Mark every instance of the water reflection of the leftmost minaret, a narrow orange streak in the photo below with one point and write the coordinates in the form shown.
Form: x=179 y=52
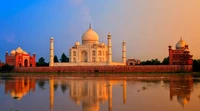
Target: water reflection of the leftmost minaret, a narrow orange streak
x=51 y=90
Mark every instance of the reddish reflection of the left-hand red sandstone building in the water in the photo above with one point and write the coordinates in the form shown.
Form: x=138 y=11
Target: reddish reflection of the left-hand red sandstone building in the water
x=19 y=87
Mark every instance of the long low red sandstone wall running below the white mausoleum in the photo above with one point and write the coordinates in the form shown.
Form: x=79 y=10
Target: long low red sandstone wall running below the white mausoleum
x=149 y=68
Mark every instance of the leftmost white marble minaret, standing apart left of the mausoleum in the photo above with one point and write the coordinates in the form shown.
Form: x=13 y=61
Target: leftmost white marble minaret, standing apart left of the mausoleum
x=51 y=61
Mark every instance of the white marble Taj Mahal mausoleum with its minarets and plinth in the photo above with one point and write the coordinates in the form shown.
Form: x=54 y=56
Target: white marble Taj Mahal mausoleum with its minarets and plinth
x=90 y=52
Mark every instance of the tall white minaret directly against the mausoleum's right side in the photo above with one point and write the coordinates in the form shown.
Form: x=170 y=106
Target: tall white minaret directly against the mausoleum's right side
x=109 y=48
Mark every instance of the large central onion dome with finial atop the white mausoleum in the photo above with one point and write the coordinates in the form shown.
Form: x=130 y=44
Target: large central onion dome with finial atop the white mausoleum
x=90 y=37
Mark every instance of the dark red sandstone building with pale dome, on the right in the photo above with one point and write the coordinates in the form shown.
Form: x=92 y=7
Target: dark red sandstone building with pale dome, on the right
x=181 y=55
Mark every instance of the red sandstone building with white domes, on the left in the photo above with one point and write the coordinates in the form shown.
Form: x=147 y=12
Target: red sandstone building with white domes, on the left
x=20 y=58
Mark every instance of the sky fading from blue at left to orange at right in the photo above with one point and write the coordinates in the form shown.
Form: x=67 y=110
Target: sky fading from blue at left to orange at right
x=147 y=26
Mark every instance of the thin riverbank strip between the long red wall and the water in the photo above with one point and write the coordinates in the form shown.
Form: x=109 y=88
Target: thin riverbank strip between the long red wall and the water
x=126 y=76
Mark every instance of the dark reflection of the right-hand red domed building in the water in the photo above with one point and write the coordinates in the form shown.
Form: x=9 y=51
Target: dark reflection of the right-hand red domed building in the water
x=181 y=86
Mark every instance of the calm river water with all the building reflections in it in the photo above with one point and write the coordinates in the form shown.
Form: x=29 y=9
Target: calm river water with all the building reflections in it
x=177 y=93
